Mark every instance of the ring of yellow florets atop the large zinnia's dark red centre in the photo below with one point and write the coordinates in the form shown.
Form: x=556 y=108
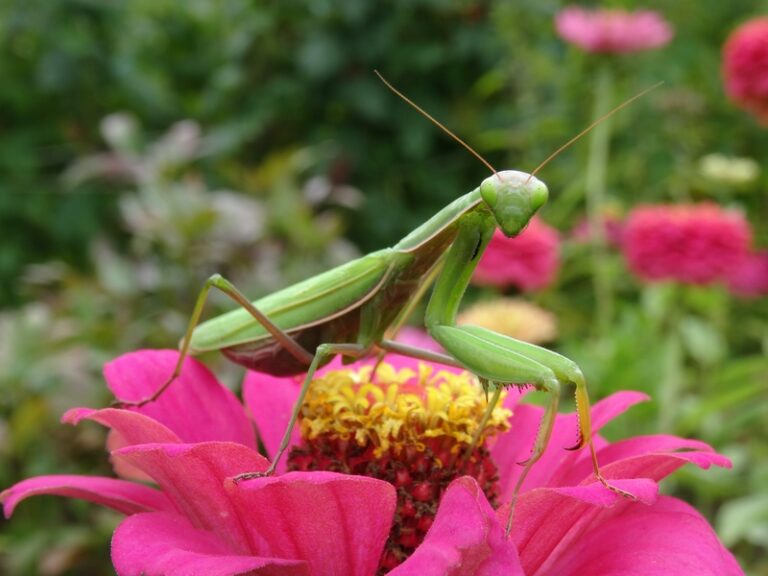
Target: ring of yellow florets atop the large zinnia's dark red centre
x=402 y=409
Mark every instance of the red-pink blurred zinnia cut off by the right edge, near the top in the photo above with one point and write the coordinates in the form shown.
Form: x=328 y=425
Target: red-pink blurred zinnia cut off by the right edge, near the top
x=745 y=67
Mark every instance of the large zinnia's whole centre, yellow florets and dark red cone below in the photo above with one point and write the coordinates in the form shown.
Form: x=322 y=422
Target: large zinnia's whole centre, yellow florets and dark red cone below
x=414 y=430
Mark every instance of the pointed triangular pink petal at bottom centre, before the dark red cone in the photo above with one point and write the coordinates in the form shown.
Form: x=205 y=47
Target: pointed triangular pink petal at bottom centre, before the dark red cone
x=465 y=539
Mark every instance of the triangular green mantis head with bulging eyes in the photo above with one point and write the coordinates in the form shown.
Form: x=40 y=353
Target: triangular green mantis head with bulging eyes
x=513 y=197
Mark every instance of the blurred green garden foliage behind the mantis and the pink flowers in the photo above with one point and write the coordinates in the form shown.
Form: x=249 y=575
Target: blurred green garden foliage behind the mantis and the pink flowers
x=147 y=144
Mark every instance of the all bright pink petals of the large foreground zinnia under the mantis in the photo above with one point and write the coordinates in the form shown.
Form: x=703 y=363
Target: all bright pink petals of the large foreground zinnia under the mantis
x=195 y=520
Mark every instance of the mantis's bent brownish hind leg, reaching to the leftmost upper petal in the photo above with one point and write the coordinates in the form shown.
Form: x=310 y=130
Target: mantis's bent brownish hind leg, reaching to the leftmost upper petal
x=223 y=285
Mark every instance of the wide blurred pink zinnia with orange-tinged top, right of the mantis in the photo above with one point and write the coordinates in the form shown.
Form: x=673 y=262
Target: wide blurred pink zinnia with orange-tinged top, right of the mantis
x=696 y=244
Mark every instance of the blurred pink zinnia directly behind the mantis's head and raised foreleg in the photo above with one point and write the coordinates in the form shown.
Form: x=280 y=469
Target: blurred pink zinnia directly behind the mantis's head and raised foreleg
x=528 y=261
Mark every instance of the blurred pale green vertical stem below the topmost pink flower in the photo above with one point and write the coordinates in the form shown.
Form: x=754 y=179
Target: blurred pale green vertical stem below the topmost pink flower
x=595 y=197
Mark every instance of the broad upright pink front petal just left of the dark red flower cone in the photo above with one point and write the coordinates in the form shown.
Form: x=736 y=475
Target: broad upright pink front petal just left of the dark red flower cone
x=337 y=523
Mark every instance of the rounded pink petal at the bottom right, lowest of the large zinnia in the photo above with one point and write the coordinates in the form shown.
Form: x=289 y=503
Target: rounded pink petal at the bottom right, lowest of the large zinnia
x=667 y=539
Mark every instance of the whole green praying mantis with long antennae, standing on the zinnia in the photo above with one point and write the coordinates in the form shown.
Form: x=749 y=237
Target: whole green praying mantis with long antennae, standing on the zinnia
x=350 y=310
